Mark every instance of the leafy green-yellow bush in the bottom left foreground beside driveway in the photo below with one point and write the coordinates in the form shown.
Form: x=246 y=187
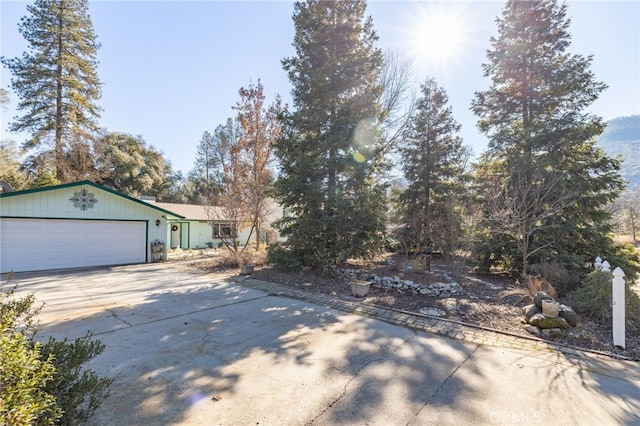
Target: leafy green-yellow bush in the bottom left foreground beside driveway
x=43 y=384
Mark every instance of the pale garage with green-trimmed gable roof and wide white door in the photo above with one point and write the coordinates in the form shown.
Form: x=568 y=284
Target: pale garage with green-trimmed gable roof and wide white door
x=77 y=225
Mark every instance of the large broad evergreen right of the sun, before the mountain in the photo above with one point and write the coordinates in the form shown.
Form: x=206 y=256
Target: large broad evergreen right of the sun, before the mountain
x=541 y=134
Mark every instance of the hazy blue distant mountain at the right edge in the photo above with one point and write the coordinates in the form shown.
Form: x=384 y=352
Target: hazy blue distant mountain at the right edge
x=622 y=137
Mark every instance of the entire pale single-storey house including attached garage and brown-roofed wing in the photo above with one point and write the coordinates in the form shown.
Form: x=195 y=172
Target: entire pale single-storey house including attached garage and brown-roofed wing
x=84 y=224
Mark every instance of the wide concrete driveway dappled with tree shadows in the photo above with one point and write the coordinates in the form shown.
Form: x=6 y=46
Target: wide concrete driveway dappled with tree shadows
x=195 y=349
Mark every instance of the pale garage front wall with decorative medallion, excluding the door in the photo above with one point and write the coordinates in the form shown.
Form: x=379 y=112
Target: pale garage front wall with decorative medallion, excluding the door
x=57 y=204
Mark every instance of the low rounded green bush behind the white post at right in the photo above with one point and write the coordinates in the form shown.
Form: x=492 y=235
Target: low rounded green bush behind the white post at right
x=593 y=298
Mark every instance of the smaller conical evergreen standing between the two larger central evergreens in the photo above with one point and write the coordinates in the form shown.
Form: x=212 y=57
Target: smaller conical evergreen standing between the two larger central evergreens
x=433 y=161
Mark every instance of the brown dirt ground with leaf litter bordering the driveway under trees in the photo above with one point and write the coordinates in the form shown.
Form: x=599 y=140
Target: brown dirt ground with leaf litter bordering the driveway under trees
x=489 y=300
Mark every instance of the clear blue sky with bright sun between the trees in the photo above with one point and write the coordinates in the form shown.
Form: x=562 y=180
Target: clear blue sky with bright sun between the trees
x=172 y=69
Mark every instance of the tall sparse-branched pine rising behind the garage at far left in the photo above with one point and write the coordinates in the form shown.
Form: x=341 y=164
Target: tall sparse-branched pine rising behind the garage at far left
x=56 y=81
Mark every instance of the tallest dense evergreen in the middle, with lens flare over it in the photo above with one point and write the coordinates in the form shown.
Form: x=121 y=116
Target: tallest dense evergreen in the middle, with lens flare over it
x=330 y=149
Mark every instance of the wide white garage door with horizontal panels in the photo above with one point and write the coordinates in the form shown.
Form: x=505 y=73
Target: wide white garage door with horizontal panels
x=38 y=244
